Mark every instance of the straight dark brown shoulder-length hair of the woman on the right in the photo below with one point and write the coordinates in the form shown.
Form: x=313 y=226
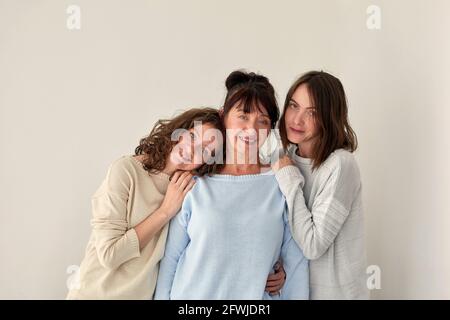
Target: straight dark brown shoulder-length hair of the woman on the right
x=334 y=130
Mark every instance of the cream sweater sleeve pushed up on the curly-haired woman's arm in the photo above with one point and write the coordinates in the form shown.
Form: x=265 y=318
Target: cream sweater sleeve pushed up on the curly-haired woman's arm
x=115 y=243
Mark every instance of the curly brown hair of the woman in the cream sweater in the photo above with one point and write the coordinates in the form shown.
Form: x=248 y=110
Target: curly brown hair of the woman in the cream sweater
x=158 y=144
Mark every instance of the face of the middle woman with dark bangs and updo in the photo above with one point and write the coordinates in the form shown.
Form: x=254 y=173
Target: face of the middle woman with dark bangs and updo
x=247 y=130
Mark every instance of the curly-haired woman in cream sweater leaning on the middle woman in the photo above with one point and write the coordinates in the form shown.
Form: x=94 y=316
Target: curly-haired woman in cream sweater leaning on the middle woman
x=139 y=196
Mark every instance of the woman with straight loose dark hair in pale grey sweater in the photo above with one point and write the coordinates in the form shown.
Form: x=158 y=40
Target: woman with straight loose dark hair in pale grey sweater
x=321 y=182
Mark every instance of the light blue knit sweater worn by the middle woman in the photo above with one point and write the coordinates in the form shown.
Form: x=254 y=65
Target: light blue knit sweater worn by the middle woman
x=224 y=242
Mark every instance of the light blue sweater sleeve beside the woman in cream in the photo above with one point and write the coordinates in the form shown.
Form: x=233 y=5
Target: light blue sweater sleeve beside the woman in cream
x=177 y=242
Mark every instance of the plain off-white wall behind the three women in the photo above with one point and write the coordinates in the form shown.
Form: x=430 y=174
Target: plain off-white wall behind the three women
x=71 y=102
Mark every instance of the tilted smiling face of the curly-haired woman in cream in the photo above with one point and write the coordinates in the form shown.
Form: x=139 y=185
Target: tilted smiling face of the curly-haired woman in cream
x=195 y=147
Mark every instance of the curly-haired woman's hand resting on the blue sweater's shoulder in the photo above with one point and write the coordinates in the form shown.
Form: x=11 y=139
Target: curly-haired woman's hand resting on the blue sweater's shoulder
x=179 y=185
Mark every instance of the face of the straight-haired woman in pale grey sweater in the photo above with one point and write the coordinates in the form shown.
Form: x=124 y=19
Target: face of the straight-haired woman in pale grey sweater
x=300 y=118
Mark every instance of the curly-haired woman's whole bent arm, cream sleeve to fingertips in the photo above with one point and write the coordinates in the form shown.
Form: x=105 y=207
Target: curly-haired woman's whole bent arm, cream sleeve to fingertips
x=115 y=242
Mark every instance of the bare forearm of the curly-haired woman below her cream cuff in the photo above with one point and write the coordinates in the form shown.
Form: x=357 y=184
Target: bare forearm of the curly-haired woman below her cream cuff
x=150 y=226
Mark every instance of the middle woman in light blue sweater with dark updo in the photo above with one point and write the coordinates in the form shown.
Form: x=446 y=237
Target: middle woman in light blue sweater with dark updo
x=232 y=227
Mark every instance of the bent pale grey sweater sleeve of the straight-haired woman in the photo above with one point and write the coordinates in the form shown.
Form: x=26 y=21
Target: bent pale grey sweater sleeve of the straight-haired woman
x=315 y=230
